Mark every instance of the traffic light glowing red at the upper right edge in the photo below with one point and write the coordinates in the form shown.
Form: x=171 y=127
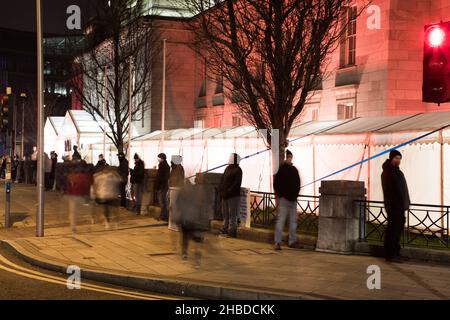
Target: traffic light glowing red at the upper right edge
x=436 y=63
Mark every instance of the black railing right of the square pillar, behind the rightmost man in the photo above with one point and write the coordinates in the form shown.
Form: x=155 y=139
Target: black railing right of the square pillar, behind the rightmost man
x=426 y=225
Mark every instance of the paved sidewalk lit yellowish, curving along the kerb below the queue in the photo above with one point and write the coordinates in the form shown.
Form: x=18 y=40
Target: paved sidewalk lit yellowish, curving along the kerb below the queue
x=142 y=253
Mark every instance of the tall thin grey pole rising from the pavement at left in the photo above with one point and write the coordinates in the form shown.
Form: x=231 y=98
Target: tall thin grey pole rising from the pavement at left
x=40 y=123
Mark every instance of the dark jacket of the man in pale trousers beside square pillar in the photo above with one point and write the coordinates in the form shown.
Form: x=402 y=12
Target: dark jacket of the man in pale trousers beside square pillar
x=286 y=182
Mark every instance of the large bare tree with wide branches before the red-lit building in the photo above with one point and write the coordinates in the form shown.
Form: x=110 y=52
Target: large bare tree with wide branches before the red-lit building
x=271 y=54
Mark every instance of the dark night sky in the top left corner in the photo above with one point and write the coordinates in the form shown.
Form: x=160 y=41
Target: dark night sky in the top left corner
x=21 y=14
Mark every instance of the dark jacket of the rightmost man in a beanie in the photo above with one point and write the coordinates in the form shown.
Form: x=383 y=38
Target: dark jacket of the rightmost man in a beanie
x=395 y=188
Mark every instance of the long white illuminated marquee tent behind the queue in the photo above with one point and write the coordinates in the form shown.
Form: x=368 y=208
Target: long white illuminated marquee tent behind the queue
x=320 y=148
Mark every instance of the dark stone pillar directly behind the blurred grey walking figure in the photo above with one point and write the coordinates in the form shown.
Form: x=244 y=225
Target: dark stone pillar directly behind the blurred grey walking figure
x=211 y=181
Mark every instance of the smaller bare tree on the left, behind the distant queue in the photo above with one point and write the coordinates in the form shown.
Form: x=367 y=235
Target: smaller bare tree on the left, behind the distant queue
x=117 y=61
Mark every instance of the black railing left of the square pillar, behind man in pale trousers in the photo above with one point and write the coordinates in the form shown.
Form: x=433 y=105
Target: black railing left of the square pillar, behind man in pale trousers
x=264 y=213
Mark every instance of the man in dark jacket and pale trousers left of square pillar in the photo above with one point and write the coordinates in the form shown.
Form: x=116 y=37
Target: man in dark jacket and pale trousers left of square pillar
x=287 y=187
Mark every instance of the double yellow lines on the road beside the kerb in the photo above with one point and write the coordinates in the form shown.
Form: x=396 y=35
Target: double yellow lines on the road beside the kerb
x=56 y=280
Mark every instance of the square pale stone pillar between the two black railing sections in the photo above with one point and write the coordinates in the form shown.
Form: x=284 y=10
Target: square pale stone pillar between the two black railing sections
x=339 y=215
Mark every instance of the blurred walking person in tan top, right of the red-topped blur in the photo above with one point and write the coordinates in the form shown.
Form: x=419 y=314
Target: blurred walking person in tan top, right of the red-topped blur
x=106 y=188
